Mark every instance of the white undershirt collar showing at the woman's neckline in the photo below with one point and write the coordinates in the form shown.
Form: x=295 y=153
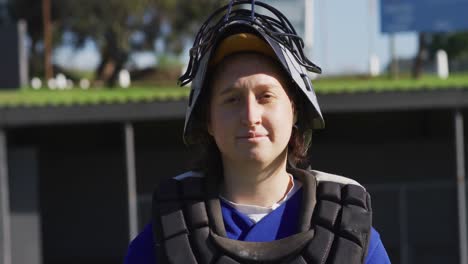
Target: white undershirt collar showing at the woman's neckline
x=255 y=212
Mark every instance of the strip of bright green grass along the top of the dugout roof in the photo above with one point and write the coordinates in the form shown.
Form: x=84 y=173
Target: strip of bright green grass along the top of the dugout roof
x=28 y=97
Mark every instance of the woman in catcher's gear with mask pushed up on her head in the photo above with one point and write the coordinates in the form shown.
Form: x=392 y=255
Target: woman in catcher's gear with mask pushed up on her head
x=252 y=109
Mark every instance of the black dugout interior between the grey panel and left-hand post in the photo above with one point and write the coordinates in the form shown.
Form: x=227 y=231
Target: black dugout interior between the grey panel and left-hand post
x=82 y=193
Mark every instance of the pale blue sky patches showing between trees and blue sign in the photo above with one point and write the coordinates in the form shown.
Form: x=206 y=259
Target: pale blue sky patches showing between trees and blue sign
x=345 y=34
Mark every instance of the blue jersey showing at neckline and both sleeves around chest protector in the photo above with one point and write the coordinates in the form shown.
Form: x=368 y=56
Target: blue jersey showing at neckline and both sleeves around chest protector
x=280 y=223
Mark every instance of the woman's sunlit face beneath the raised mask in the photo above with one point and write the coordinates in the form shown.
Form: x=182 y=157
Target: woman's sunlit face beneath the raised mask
x=251 y=115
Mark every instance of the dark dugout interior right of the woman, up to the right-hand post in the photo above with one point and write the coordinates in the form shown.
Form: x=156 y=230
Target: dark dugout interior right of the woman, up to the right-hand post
x=407 y=162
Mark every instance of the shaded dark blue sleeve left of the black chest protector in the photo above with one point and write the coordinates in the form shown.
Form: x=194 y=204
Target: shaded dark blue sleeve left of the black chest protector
x=140 y=250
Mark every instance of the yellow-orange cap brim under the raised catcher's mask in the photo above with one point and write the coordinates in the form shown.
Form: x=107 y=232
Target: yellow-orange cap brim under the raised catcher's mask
x=242 y=42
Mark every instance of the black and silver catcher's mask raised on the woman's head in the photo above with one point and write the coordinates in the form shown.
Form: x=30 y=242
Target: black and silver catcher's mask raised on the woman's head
x=232 y=29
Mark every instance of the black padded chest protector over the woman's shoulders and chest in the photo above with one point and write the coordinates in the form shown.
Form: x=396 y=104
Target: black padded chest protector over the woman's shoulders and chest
x=334 y=225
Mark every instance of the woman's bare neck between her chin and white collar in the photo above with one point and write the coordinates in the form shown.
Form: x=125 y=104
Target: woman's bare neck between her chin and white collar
x=255 y=184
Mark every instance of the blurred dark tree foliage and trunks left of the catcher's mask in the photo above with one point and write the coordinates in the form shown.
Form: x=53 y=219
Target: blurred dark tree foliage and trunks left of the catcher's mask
x=113 y=25
